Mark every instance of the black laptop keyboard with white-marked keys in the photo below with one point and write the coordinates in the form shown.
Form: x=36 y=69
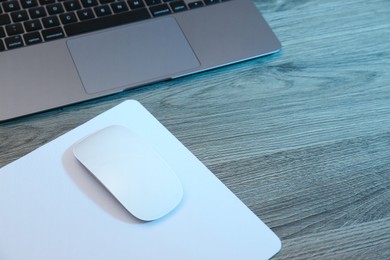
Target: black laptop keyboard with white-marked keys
x=27 y=22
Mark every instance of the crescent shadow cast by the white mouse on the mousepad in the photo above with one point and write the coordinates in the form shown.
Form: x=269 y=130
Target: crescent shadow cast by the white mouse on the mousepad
x=94 y=190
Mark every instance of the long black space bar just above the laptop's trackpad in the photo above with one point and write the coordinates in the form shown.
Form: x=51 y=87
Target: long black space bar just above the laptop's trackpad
x=106 y=22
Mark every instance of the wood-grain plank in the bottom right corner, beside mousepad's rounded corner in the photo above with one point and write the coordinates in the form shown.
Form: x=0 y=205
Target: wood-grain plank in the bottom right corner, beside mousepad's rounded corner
x=365 y=241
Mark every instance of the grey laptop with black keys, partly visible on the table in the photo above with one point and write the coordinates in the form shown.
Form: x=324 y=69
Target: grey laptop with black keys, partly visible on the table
x=59 y=52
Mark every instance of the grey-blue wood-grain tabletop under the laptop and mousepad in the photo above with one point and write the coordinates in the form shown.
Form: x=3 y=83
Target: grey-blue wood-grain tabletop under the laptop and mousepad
x=301 y=137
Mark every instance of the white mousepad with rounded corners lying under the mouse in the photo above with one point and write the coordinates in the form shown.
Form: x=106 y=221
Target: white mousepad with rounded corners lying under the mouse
x=52 y=208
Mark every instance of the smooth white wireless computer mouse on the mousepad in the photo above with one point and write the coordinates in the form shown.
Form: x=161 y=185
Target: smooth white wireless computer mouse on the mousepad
x=132 y=171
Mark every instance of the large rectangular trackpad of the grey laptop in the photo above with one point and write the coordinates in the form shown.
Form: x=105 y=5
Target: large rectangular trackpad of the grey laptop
x=133 y=55
